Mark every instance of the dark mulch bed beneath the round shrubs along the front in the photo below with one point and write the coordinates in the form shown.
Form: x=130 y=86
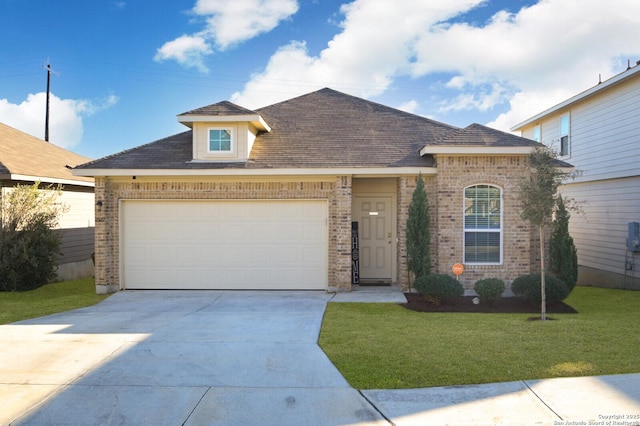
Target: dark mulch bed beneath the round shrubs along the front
x=507 y=305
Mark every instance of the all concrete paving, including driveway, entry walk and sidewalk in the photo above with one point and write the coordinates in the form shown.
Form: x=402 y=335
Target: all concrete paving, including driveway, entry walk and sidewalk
x=232 y=358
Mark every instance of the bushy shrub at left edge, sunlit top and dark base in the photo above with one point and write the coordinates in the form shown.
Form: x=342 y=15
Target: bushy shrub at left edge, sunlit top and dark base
x=28 y=243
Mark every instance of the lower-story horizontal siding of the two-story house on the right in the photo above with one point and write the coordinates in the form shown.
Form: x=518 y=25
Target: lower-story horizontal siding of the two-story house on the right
x=600 y=231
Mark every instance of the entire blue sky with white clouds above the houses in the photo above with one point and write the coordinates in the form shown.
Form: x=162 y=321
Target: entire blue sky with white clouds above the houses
x=123 y=70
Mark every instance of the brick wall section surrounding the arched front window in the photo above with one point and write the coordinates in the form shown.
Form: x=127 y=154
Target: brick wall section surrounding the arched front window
x=454 y=174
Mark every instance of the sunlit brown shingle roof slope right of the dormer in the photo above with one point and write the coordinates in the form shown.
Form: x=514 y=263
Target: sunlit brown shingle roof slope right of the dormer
x=331 y=129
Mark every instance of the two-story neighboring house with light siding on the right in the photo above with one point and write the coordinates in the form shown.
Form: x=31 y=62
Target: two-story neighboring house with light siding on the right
x=598 y=132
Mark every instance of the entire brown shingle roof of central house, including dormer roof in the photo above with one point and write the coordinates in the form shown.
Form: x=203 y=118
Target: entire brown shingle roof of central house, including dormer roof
x=322 y=129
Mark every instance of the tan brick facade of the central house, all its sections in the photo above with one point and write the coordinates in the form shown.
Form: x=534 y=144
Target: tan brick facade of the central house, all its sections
x=445 y=194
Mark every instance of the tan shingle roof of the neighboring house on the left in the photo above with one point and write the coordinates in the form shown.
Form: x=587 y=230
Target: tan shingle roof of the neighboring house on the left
x=23 y=154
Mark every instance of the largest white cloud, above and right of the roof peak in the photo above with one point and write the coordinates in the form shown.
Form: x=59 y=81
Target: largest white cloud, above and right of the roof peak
x=528 y=60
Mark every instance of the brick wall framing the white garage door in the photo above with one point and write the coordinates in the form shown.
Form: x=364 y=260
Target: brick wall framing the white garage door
x=109 y=191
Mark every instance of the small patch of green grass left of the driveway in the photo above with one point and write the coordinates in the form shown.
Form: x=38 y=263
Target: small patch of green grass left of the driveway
x=48 y=299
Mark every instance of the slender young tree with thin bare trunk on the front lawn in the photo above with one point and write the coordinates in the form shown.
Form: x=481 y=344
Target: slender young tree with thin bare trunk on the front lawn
x=538 y=198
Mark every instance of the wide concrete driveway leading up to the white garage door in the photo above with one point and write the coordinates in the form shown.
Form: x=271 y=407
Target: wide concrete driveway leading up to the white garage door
x=178 y=357
